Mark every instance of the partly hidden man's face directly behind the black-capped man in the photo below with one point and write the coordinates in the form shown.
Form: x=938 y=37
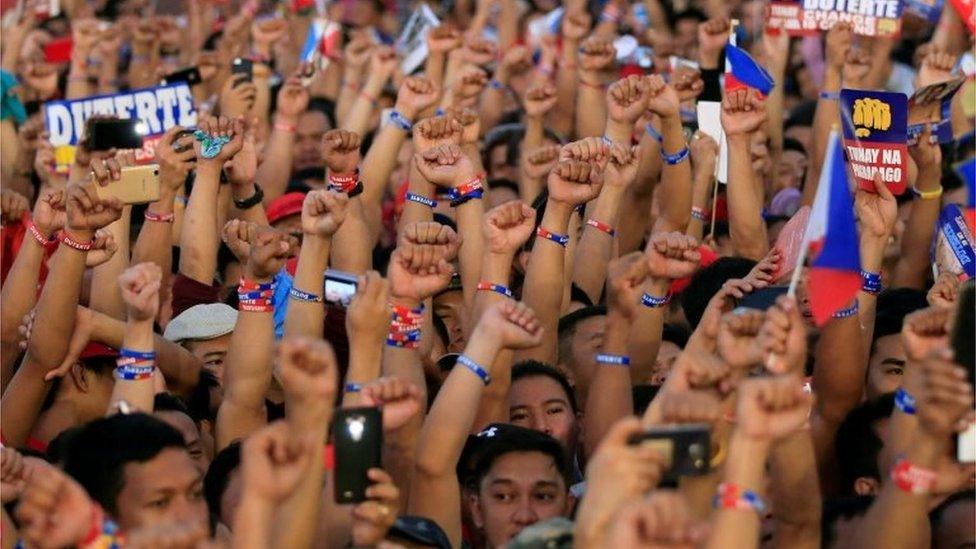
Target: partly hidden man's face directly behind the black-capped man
x=540 y=403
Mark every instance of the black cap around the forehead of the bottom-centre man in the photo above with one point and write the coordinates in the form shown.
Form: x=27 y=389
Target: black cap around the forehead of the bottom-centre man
x=517 y=439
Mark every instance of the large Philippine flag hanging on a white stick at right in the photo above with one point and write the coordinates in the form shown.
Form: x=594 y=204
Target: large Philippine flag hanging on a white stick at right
x=831 y=240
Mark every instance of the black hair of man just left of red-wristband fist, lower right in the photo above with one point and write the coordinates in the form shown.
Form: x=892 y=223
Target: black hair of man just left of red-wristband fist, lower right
x=858 y=443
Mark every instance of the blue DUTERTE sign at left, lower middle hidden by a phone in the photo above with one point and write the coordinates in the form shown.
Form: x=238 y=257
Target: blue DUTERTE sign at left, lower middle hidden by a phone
x=159 y=109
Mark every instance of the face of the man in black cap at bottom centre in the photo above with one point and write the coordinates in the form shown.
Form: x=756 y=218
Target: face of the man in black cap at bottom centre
x=521 y=488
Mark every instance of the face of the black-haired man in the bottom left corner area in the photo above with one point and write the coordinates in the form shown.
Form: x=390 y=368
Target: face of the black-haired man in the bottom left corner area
x=167 y=489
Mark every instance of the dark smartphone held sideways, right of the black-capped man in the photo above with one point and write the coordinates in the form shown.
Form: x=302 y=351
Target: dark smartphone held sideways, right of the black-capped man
x=686 y=448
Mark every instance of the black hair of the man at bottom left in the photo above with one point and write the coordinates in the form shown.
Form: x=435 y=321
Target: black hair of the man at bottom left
x=96 y=455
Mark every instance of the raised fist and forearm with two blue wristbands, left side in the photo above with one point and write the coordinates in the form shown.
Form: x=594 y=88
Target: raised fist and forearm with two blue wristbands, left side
x=134 y=375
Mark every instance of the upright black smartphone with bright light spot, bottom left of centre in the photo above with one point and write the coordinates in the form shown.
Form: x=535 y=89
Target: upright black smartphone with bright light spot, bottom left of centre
x=357 y=442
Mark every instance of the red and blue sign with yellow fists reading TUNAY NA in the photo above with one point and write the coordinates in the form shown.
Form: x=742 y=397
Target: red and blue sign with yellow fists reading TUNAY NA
x=875 y=127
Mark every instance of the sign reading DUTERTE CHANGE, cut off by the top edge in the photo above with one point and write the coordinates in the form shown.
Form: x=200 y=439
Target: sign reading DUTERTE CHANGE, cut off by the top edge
x=811 y=17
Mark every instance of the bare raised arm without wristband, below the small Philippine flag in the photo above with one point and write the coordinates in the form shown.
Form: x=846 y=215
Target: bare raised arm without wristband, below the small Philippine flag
x=742 y=115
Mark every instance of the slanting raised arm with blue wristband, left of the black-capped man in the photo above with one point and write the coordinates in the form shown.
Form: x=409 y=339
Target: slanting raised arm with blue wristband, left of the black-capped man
x=435 y=493
